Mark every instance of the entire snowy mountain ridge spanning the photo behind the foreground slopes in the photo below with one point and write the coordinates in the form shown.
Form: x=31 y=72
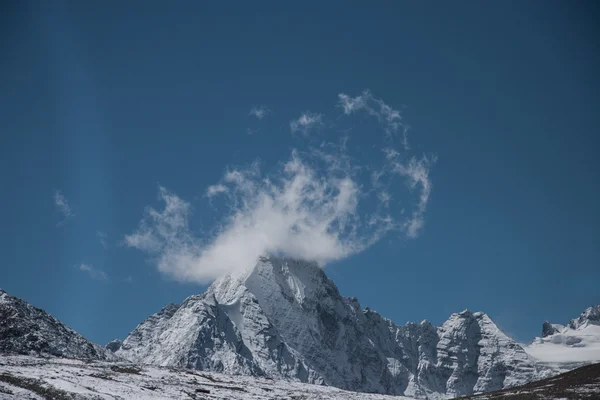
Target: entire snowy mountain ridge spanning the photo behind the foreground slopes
x=286 y=319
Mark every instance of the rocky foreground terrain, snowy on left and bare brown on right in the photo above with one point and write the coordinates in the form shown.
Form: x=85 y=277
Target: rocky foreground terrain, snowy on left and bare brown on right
x=35 y=378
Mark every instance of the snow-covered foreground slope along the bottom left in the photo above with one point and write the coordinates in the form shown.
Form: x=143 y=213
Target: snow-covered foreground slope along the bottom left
x=24 y=377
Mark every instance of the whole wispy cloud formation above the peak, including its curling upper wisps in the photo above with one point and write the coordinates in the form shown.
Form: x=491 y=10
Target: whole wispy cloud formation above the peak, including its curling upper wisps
x=315 y=205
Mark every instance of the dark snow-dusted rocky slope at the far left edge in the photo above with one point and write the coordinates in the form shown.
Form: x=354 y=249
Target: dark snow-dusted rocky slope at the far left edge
x=25 y=329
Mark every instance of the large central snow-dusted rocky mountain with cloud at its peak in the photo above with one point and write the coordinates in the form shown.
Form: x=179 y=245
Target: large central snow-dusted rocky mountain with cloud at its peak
x=285 y=318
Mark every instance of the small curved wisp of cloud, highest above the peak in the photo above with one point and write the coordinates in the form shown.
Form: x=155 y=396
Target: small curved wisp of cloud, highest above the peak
x=390 y=118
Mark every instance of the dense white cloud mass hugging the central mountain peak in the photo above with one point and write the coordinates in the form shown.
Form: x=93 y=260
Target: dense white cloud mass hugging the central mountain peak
x=300 y=213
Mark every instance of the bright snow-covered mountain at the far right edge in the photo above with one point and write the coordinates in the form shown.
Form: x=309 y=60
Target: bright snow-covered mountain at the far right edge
x=564 y=347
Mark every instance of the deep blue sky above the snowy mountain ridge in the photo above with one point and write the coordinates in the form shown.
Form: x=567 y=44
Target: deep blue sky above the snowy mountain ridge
x=102 y=106
